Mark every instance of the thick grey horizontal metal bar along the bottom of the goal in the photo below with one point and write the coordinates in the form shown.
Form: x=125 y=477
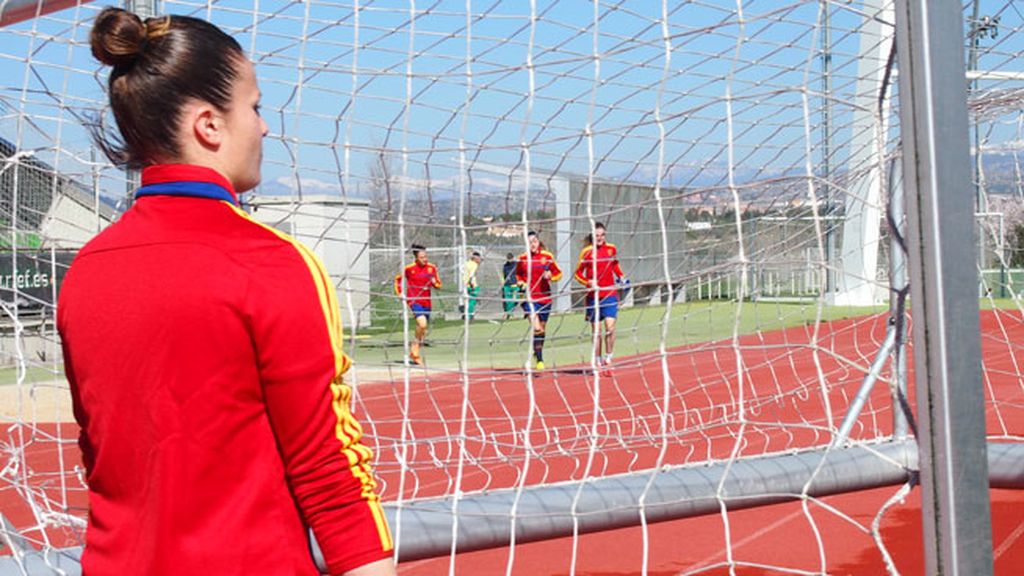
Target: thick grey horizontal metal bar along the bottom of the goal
x=481 y=522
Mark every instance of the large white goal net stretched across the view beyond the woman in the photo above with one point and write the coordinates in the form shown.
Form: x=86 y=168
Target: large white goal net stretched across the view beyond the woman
x=741 y=157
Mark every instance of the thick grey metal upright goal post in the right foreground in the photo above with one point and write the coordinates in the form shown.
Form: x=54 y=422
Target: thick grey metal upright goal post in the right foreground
x=944 y=287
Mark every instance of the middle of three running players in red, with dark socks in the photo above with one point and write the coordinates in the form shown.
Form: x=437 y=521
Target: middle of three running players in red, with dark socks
x=536 y=271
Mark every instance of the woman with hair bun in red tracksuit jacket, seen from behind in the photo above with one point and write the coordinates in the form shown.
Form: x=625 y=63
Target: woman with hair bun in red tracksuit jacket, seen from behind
x=203 y=349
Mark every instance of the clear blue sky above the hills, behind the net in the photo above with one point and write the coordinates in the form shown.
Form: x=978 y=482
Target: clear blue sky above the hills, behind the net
x=415 y=99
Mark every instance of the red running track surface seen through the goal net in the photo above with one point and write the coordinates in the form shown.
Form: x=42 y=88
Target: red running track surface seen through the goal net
x=785 y=385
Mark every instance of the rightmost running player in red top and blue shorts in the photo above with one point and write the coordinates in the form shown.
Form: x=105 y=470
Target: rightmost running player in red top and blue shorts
x=601 y=273
